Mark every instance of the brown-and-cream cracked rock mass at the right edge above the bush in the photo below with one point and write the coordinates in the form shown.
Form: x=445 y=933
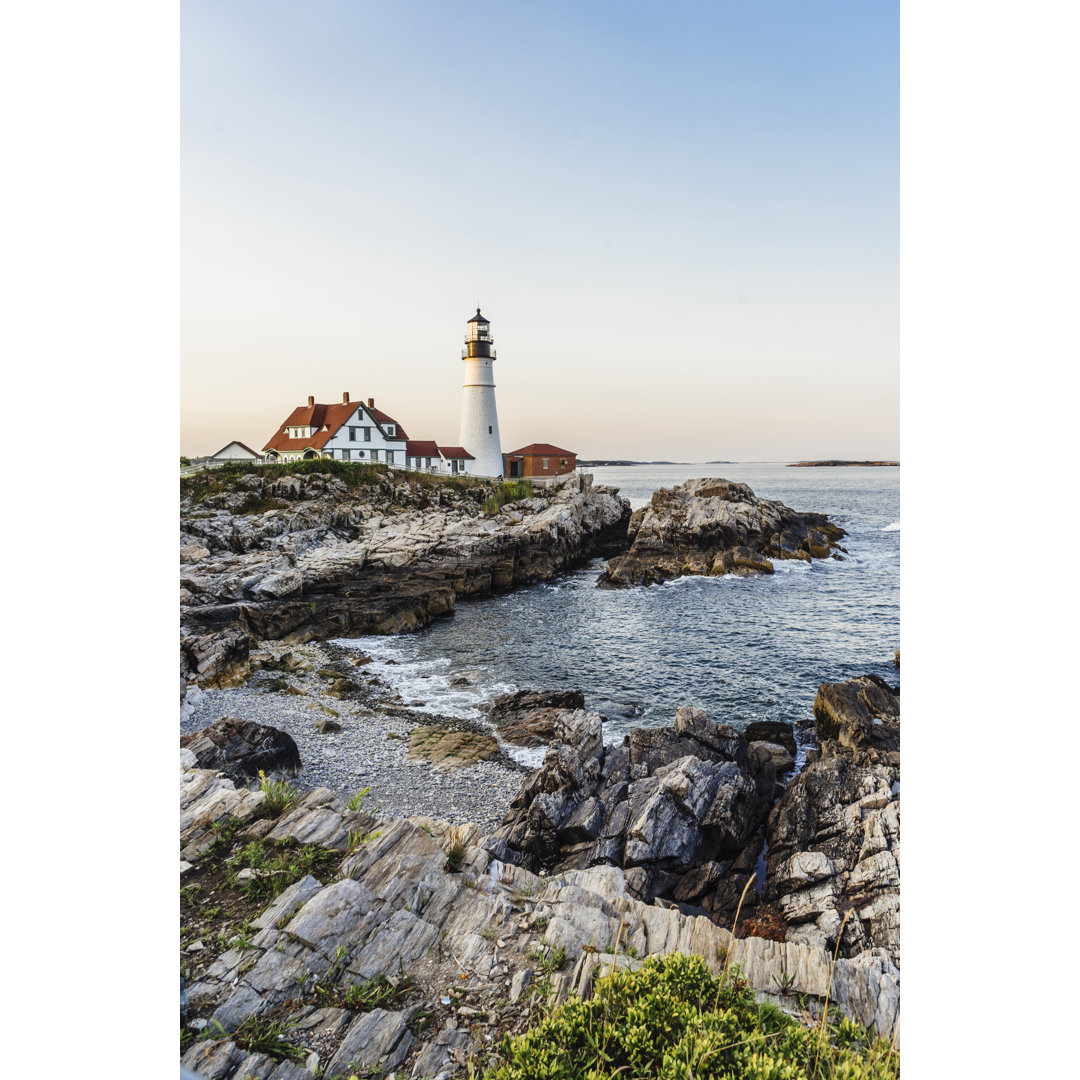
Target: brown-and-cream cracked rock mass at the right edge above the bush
x=834 y=836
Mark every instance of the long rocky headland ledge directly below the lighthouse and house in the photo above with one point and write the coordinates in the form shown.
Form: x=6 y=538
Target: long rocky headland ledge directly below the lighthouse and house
x=326 y=561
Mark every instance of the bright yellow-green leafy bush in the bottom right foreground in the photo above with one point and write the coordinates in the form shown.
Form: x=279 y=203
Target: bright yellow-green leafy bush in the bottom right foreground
x=673 y=1020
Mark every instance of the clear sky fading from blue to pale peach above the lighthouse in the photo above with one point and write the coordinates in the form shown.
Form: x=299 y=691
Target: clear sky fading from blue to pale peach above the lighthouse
x=681 y=219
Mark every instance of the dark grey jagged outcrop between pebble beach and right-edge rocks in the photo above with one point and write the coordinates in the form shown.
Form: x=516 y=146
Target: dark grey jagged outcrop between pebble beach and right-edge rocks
x=680 y=809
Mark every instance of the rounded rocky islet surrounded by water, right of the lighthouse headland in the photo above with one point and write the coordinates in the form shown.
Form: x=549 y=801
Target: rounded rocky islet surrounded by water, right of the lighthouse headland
x=717 y=528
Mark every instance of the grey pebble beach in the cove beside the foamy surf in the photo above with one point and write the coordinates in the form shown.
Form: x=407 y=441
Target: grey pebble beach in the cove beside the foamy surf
x=372 y=749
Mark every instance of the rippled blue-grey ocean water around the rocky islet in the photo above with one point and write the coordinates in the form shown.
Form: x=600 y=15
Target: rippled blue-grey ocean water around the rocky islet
x=742 y=650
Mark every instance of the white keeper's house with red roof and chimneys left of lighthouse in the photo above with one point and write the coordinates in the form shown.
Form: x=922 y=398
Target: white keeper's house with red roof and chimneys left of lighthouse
x=356 y=431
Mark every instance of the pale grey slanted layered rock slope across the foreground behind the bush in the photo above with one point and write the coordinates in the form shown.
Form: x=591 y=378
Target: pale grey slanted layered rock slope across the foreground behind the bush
x=469 y=943
